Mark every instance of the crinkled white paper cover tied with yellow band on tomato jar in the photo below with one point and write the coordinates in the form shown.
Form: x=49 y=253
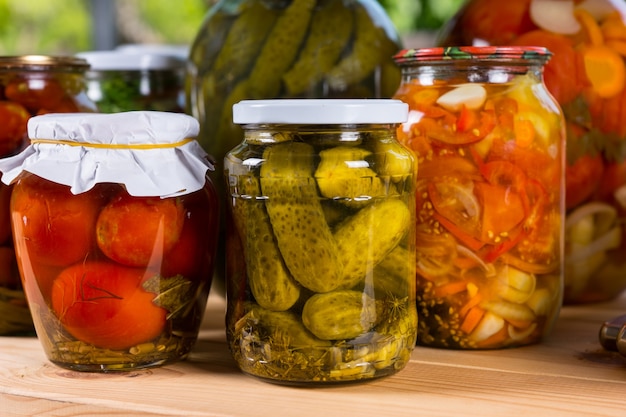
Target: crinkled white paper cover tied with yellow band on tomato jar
x=151 y=153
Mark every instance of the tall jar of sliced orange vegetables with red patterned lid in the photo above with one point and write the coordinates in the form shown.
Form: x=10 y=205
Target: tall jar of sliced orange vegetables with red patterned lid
x=490 y=194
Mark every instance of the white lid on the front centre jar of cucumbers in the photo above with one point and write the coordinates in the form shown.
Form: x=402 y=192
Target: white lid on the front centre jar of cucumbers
x=320 y=111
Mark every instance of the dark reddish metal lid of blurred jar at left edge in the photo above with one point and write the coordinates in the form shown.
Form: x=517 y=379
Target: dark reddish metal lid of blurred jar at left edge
x=43 y=63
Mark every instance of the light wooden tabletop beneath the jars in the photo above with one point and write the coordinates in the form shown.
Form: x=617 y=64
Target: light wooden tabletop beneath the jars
x=568 y=375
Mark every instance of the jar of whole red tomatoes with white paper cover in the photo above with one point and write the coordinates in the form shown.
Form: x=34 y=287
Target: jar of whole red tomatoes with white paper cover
x=115 y=226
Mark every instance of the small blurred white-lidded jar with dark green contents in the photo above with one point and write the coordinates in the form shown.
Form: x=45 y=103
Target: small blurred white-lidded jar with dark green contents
x=121 y=81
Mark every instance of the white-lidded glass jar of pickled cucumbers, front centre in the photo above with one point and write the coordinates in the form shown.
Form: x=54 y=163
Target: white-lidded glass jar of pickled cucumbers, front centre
x=320 y=255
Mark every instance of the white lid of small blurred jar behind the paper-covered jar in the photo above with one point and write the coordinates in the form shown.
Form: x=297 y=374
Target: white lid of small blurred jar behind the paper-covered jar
x=127 y=61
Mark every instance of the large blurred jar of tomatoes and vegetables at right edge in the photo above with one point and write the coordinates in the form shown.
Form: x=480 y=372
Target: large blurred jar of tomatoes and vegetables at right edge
x=587 y=76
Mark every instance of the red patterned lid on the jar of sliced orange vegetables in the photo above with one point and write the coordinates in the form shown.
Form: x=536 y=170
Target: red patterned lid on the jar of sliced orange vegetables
x=473 y=53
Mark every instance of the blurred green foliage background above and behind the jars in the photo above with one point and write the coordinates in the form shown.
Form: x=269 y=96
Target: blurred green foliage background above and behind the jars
x=70 y=26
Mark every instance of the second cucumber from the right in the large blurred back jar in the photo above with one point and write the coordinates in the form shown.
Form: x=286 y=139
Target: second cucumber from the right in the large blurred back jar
x=330 y=31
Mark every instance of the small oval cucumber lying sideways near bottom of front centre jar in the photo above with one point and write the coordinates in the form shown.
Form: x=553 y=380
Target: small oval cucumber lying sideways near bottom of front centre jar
x=339 y=315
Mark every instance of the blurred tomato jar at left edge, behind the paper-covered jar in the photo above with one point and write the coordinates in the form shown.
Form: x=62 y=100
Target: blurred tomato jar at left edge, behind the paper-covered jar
x=29 y=85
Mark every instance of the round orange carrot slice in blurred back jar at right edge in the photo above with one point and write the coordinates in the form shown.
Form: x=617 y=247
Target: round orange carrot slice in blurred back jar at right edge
x=605 y=69
